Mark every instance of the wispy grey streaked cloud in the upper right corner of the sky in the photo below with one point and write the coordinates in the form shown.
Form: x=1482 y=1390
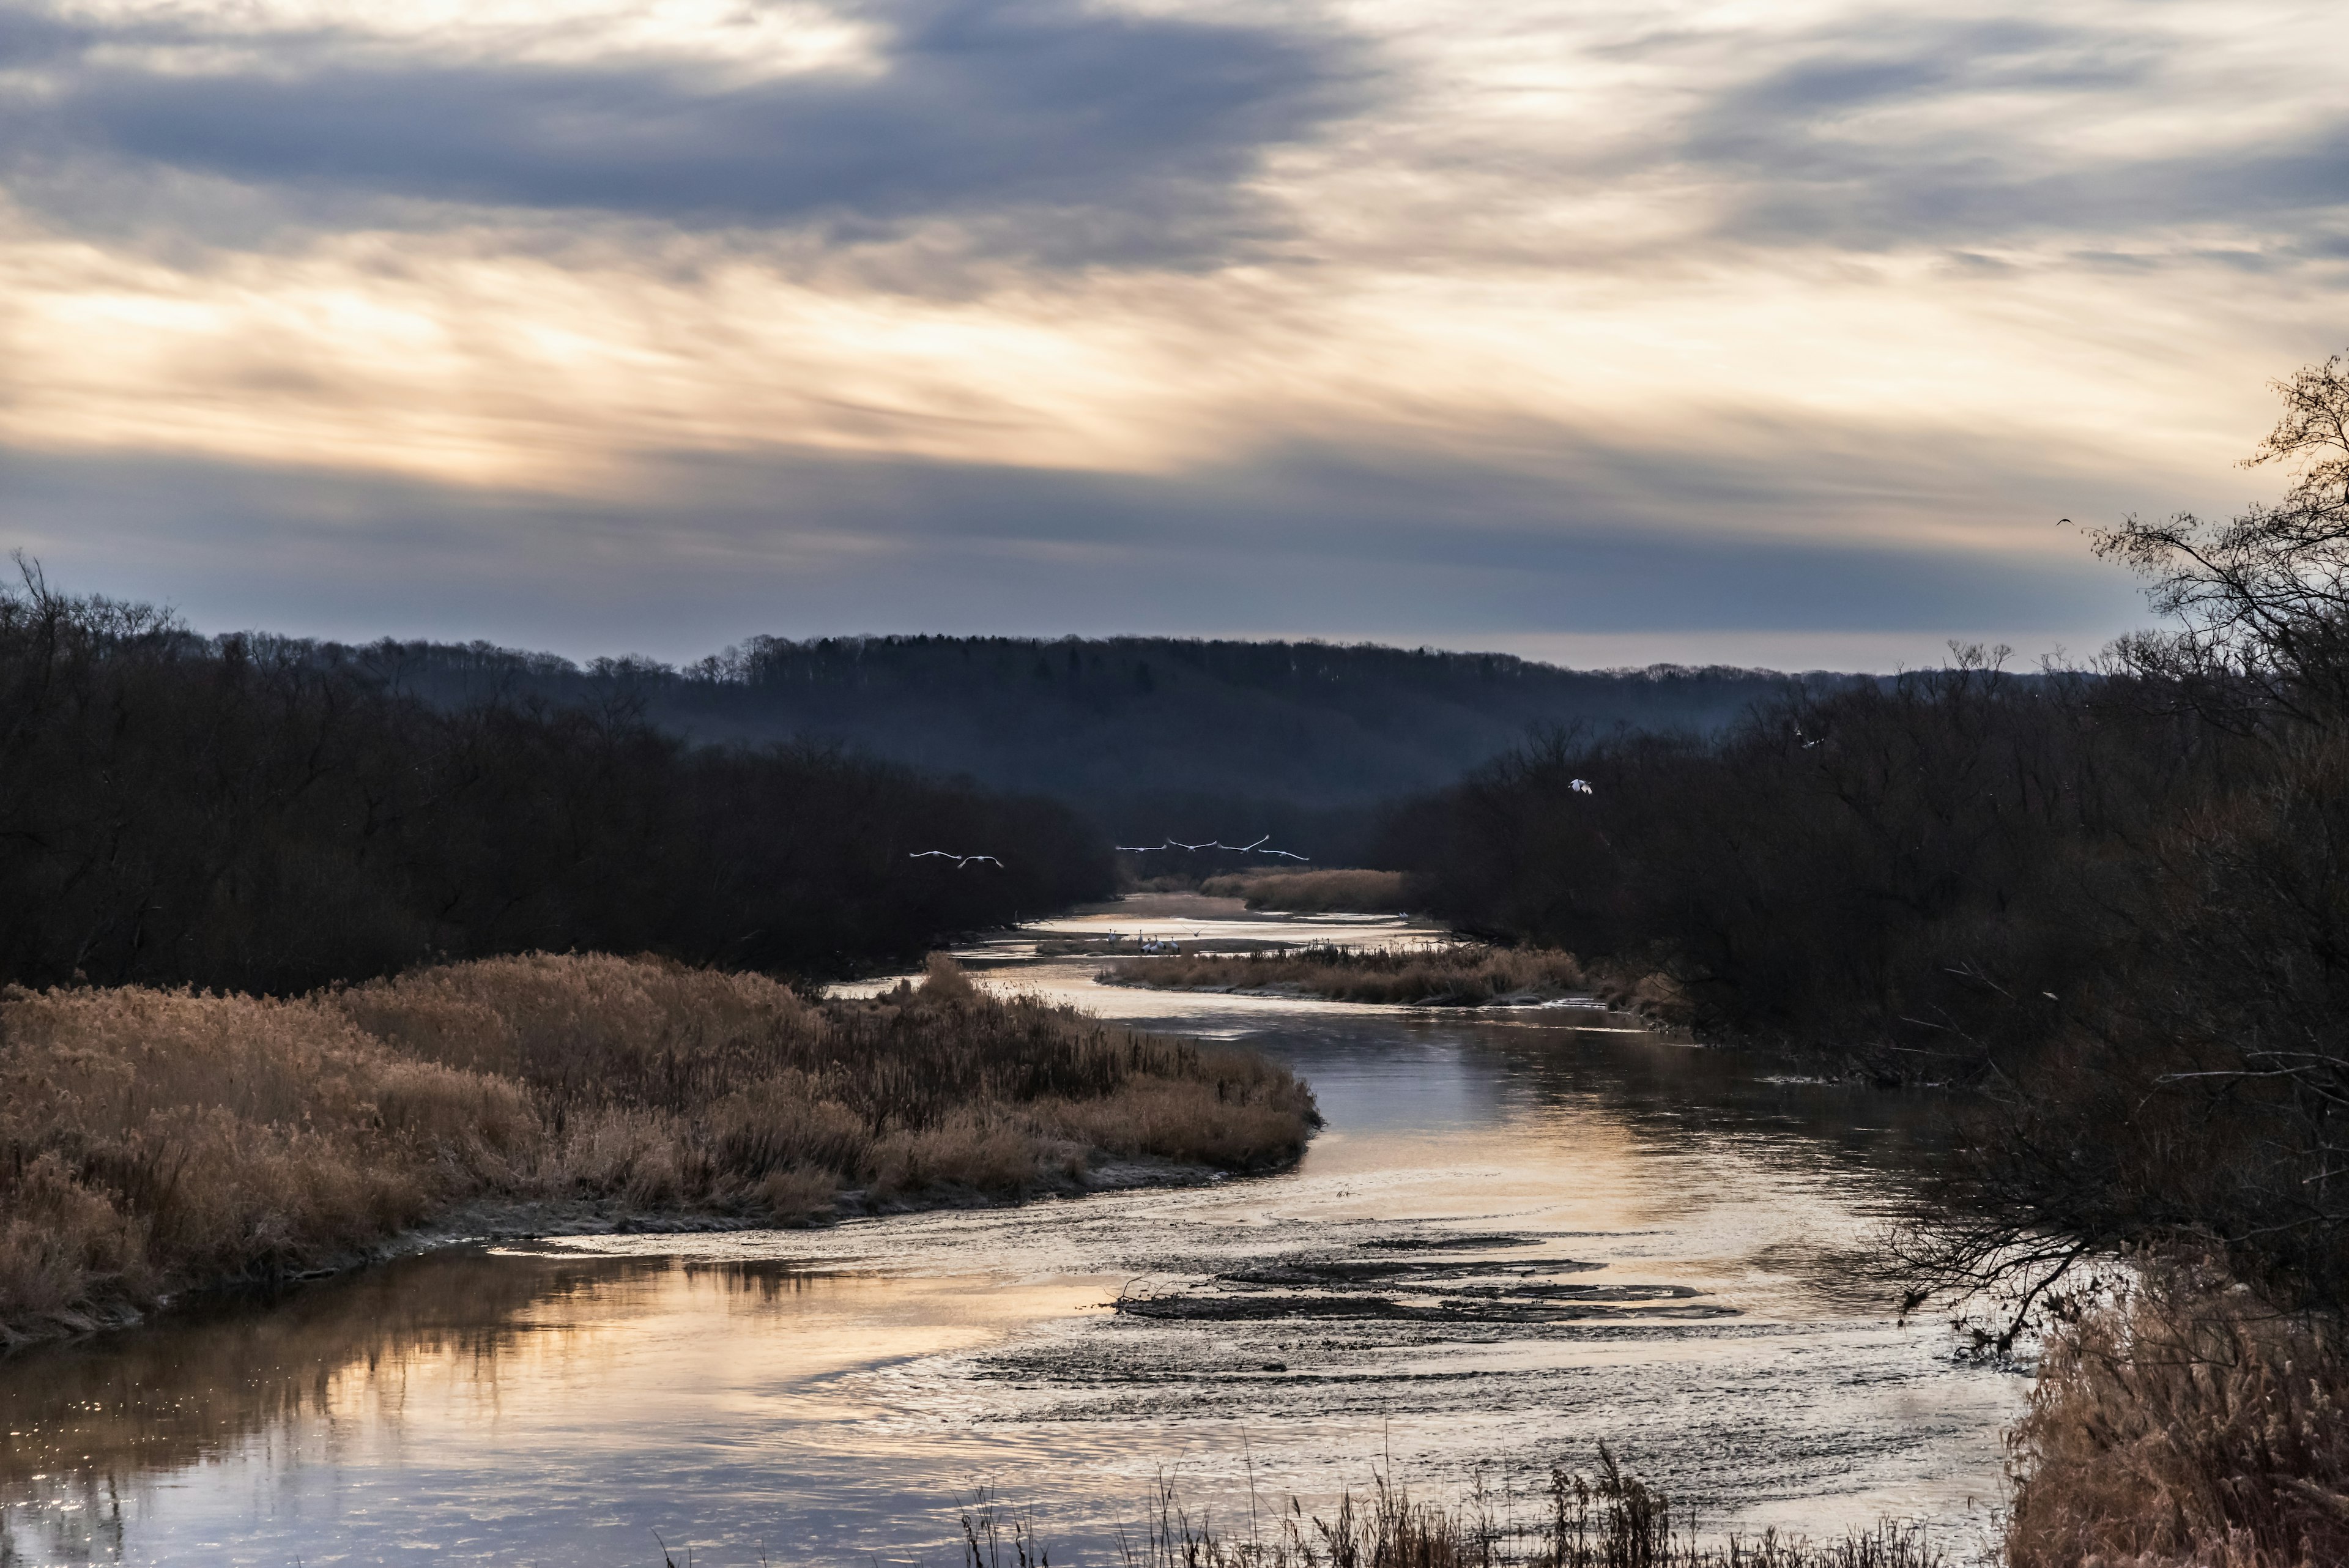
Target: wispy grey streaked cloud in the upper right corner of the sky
x=1998 y=133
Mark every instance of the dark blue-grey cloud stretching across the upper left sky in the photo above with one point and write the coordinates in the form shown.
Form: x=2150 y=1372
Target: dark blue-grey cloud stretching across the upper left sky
x=1058 y=130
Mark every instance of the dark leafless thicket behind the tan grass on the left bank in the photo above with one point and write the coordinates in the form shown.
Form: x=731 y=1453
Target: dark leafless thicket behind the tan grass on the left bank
x=257 y=815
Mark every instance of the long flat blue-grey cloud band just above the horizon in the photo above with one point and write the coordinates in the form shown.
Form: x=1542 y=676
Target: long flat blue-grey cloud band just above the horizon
x=802 y=544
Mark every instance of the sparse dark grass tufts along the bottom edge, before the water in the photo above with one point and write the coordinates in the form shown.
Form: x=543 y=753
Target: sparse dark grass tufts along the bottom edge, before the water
x=1610 y=1520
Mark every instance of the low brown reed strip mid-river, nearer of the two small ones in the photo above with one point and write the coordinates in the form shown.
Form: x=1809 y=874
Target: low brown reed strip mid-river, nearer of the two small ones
x=1460 y=974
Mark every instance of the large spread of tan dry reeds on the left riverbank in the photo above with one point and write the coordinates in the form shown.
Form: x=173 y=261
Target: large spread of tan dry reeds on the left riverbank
x=156 y=1141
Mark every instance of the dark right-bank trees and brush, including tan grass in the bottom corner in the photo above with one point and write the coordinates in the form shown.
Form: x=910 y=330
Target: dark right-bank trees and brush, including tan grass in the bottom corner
x=2118 y=904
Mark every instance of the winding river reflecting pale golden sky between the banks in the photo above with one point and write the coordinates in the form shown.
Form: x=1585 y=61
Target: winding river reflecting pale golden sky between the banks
x=1519 y=1235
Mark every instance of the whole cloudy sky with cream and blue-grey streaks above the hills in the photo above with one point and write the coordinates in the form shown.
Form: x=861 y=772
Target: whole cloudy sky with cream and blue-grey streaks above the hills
x=1758 y=330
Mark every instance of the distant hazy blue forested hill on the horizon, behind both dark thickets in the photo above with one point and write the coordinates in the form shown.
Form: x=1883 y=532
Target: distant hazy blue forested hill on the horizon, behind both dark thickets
x=1147 y=735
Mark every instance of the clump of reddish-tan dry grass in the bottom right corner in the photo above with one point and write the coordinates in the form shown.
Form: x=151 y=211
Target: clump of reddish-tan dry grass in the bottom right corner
x=2186 y=1428
